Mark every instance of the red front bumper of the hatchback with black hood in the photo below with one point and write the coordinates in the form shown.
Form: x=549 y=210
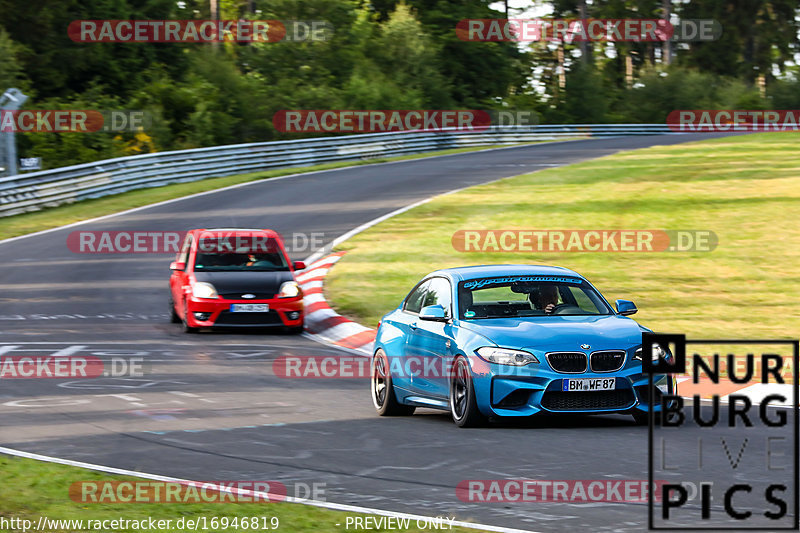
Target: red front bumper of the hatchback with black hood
x=216 y=313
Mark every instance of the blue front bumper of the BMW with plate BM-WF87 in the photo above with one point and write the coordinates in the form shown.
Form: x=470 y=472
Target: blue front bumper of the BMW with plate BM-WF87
x=504 y=392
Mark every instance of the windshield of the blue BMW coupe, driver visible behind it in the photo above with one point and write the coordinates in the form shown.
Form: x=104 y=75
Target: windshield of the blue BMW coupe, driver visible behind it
x=526 y=296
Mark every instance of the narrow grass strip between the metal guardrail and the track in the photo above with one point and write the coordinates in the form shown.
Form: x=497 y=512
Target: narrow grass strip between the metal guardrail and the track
x=25 y=223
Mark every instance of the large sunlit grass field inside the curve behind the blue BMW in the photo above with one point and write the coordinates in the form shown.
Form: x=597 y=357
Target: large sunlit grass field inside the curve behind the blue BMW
x=745 y=189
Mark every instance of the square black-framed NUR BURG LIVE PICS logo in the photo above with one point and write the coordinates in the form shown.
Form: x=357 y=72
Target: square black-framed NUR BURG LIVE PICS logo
x=746 y=459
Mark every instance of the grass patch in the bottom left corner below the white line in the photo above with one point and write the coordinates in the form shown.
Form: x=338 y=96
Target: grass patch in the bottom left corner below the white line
x=32 y=489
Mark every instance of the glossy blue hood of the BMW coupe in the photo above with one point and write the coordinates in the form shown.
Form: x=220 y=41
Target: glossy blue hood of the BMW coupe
x=559 y=332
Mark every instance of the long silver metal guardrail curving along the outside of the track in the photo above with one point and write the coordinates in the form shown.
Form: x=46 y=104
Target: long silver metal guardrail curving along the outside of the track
x=33 y=191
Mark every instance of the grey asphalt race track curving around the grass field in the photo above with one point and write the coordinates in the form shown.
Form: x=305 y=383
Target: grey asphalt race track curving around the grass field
x=208 y=406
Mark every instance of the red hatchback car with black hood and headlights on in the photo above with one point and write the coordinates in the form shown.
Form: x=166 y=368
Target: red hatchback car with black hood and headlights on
x=234 y=277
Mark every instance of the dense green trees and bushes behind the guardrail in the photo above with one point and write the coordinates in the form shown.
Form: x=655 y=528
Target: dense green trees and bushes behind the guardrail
x=383 y=54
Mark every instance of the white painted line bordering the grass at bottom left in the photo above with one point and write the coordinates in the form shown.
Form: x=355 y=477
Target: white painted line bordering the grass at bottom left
x=262 y=495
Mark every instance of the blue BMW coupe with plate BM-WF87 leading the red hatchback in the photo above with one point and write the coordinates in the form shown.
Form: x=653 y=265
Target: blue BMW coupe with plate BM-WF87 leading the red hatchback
x=511 y=341
